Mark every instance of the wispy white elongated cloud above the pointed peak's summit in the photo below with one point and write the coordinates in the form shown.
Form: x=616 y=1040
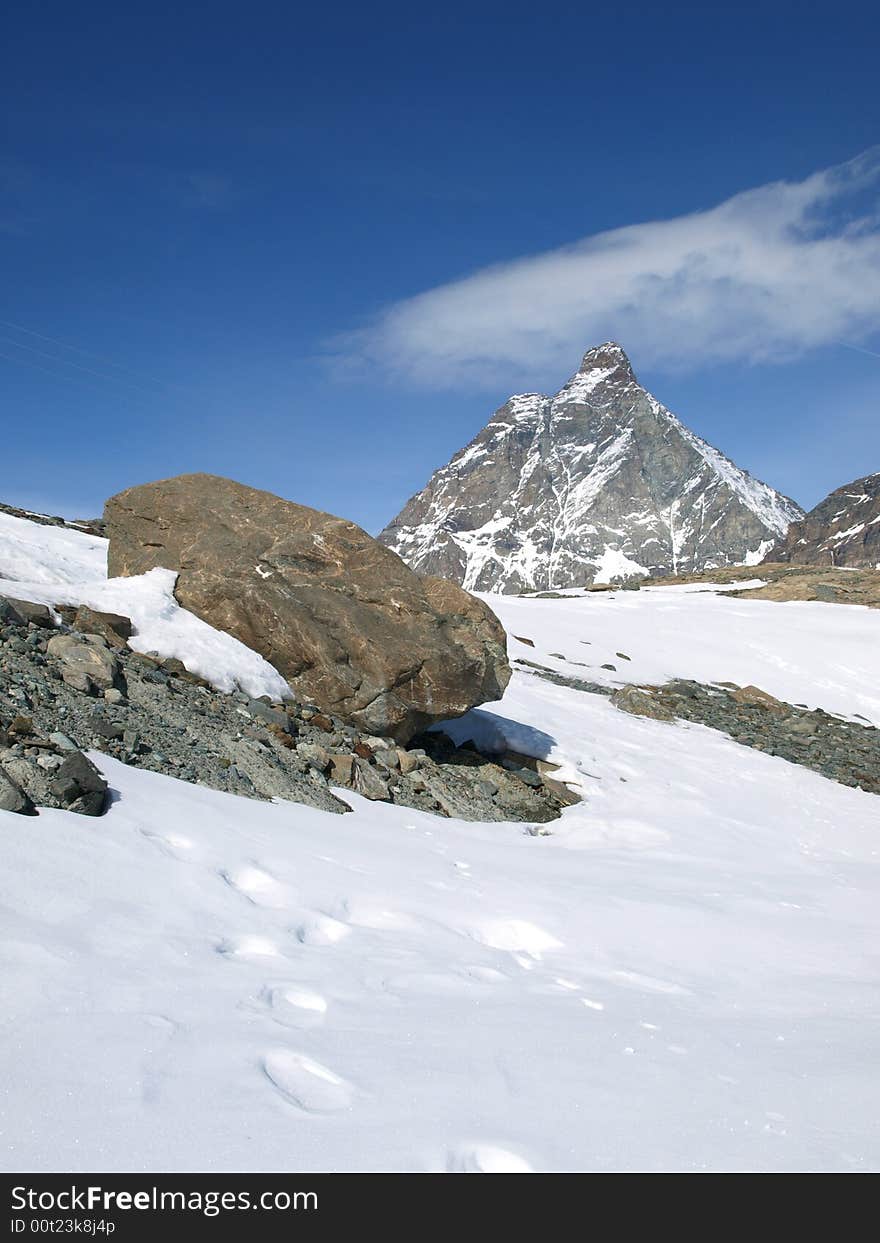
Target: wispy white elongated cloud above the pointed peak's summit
x=769 y=274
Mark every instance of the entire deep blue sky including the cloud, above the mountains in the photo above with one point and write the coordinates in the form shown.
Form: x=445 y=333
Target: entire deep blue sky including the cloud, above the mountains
x=314 y=250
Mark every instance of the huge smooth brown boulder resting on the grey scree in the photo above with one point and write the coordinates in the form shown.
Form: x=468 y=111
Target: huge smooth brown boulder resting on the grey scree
x=341 y=617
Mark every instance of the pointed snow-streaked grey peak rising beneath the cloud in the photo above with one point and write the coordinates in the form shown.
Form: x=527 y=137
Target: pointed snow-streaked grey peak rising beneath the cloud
x=598 y=483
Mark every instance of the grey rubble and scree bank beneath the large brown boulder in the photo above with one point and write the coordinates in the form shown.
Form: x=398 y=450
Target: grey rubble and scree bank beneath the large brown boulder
x=78 y=687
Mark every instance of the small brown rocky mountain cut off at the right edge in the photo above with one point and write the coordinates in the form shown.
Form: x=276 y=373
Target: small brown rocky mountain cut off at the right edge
x=843 y=530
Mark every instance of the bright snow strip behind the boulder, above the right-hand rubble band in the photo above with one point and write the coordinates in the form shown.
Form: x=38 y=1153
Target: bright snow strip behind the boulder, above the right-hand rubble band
x=802 y=652
